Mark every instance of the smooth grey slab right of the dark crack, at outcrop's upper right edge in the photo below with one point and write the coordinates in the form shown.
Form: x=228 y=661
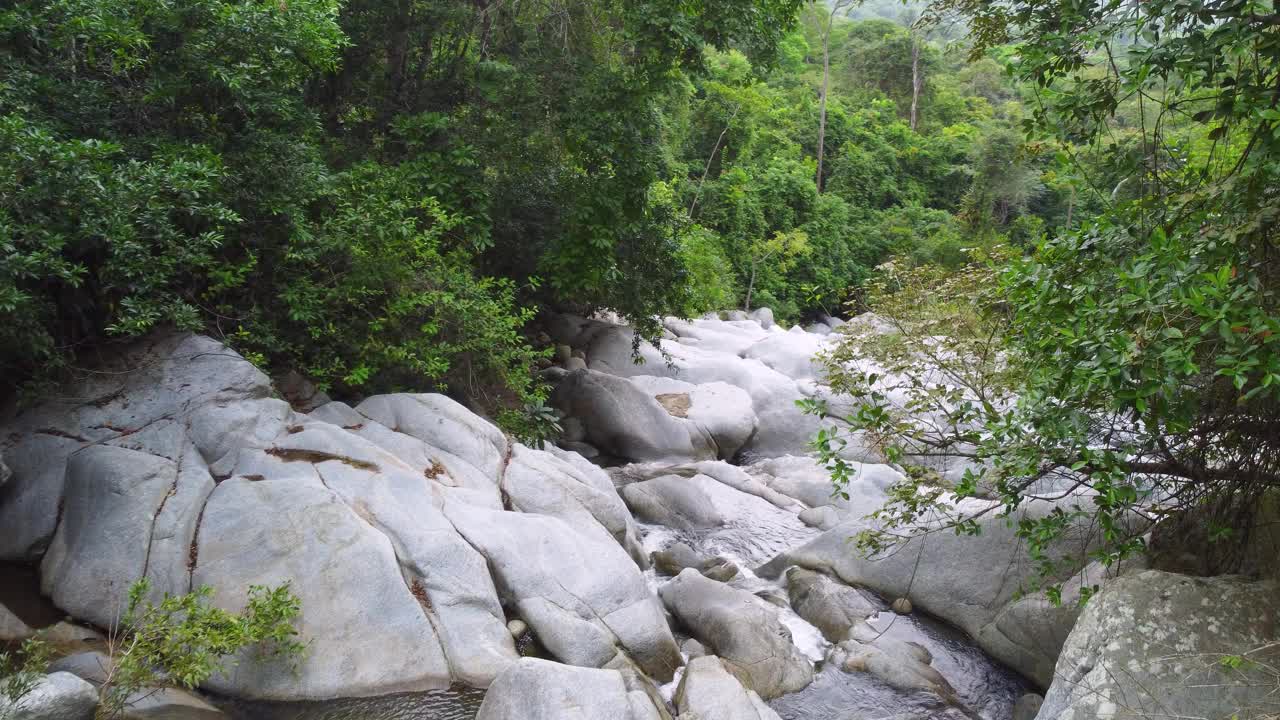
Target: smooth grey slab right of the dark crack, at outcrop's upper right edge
x=565 y=486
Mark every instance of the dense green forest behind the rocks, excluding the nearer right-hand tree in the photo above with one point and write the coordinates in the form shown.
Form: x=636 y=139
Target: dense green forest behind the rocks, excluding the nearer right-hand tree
x=385 y=194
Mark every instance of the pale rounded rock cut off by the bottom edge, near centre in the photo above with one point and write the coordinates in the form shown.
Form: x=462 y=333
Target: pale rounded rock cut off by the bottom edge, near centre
x=538 y=690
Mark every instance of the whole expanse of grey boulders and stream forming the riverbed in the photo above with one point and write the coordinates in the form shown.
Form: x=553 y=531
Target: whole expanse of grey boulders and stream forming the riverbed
x=680 y=554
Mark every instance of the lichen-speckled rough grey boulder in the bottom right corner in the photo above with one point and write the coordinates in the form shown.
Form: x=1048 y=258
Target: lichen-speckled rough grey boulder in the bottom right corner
x=1164 y=641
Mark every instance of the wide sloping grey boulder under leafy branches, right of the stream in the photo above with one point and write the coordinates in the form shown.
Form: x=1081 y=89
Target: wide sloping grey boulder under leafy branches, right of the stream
x=968 y=581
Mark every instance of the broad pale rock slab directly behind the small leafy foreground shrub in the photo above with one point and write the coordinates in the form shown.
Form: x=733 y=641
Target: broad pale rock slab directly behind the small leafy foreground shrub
x=290 y=527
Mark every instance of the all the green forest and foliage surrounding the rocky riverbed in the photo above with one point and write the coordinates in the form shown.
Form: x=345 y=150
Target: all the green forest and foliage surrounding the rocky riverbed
x=386 y=195
